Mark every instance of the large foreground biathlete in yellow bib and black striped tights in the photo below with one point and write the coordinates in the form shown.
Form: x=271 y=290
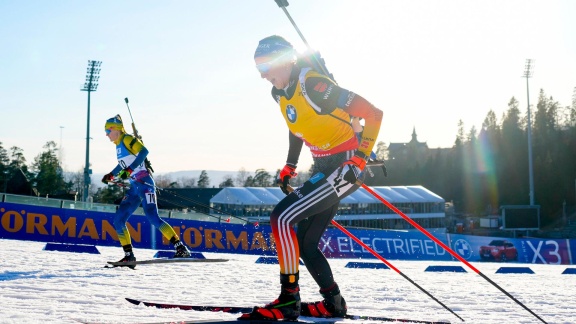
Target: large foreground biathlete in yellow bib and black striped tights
x=317 y=113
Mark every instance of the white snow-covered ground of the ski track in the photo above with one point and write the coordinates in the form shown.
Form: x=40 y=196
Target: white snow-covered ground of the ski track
x=38 y=286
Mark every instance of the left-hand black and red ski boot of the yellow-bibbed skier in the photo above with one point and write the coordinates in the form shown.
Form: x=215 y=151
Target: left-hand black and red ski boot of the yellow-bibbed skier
x=285 y=308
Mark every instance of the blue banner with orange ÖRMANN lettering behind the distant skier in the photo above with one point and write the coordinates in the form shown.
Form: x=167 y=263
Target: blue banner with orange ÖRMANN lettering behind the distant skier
x=47 y=224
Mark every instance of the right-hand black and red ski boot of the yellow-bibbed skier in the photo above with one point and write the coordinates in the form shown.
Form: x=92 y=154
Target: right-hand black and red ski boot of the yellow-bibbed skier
x=333 y=304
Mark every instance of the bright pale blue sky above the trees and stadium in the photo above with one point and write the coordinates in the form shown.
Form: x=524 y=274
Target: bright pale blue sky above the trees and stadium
x=199 y=103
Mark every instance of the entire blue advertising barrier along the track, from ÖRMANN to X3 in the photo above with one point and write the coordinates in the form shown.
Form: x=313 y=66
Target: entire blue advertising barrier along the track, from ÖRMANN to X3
x=50 y=224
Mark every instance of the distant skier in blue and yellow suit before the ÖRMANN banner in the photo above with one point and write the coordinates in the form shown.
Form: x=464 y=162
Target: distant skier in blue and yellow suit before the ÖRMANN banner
x=131 y=154
